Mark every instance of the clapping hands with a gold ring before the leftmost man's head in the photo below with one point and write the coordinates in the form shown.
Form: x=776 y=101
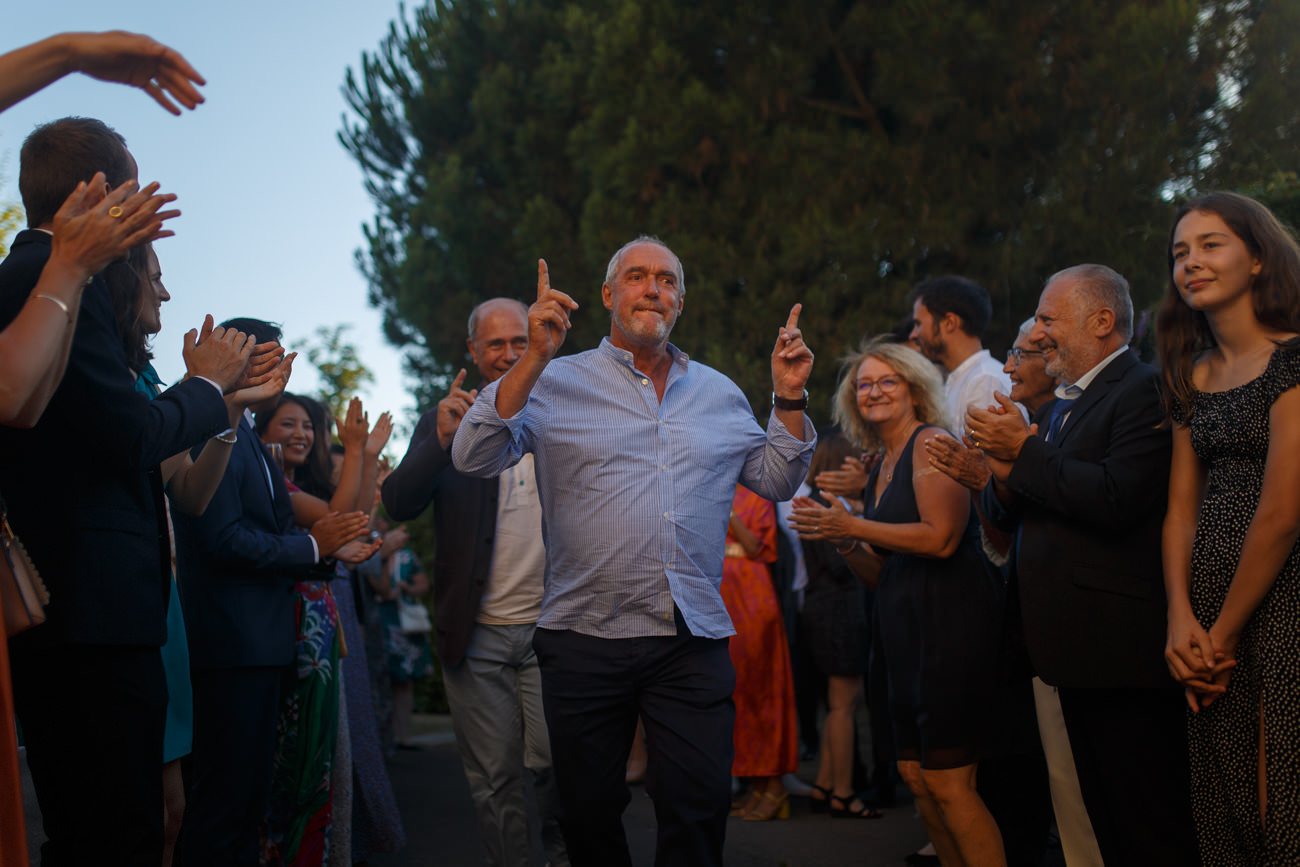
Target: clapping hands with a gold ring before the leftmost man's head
x=93 y=228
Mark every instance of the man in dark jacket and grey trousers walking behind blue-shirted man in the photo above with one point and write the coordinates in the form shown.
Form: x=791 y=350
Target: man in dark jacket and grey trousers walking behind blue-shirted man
x=488 y=573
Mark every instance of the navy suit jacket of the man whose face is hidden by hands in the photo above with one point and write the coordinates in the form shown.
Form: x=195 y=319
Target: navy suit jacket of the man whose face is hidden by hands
x=237 y=565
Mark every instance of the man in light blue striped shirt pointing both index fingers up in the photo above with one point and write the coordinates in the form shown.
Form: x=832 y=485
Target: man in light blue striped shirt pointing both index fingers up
x=638 y=456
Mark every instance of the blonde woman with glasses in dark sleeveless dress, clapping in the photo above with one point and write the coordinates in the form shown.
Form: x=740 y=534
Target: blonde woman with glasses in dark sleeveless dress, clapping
x=938 y=597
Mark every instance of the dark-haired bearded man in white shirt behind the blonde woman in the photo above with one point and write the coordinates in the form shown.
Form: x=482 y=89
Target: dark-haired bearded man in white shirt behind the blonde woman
x=950 y=317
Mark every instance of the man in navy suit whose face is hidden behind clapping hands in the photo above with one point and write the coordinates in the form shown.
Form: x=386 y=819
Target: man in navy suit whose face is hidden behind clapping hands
x=236 y=570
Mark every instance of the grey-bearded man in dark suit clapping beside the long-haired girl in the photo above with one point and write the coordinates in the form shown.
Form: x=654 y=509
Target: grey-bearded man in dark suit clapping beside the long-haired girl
x=1087 y=496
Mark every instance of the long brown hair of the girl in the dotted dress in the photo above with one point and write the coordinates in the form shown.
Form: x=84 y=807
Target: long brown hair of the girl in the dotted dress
x=1184 y=333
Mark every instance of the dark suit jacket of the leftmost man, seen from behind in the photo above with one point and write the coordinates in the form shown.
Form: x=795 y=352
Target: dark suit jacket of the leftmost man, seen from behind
x=84 y=488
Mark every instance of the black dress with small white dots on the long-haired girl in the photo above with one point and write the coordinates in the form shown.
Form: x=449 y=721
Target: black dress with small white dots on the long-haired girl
x=1230 y=433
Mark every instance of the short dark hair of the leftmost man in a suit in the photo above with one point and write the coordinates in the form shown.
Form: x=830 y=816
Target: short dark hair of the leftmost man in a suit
x=60 y=155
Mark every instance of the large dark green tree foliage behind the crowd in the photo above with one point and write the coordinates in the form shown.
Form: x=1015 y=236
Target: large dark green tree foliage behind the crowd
x=825 y=151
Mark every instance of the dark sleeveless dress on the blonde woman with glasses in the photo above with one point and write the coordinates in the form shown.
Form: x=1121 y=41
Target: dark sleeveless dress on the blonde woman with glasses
x=938 y=623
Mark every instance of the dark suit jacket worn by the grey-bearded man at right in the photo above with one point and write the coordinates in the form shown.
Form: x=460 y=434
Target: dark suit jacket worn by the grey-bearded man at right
x=1089 y=509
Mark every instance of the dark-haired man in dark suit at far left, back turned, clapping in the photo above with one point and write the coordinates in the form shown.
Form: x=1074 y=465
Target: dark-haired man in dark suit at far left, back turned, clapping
x=85 y=496
